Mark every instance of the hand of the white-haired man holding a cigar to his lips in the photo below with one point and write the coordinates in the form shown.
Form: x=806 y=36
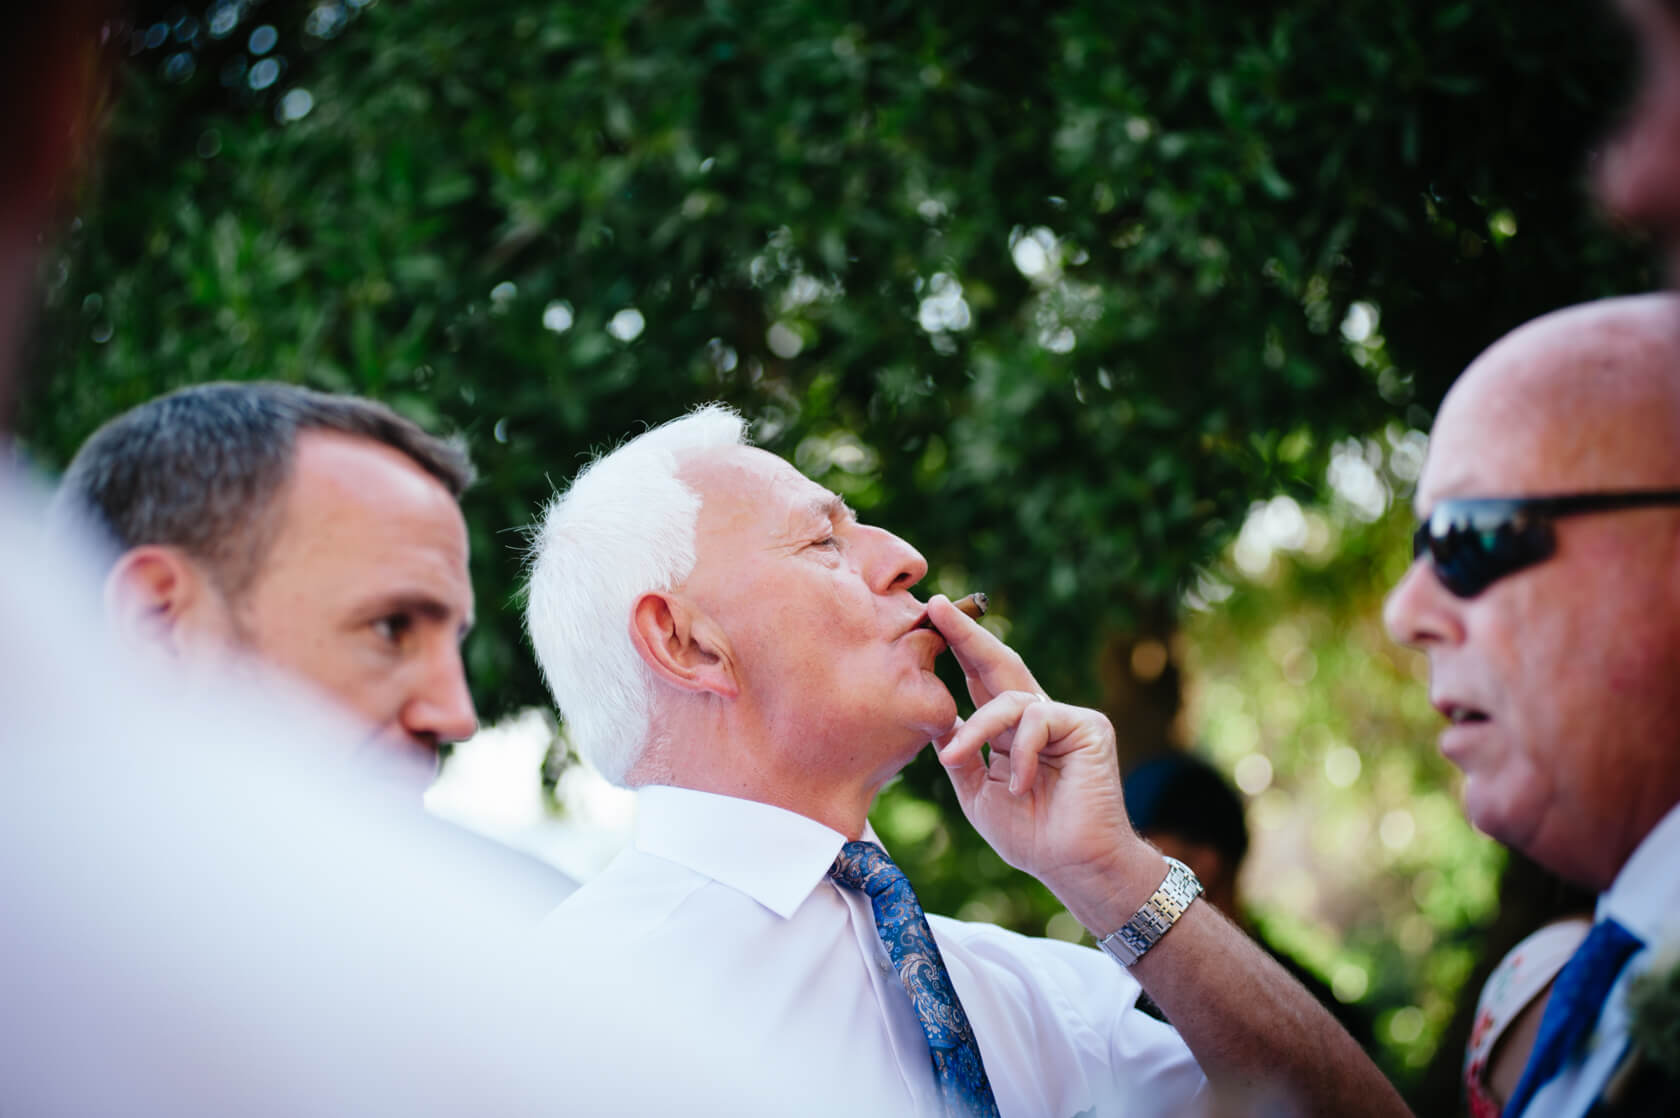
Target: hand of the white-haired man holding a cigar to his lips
x=1051 y=799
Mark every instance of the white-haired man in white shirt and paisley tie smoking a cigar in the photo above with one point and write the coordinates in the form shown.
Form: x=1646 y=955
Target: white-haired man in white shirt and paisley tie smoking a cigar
x=725 y=635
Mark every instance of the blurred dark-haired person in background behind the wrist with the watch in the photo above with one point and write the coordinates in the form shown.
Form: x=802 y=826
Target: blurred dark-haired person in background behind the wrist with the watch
x=1190 y=811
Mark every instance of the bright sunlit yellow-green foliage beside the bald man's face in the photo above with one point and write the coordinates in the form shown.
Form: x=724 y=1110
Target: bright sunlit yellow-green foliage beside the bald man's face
x=1363 y=865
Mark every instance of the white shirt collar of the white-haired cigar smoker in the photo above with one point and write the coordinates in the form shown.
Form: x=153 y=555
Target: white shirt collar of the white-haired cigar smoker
x=769 y=853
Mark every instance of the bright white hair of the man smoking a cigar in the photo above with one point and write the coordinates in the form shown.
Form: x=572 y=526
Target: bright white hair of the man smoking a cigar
x=624 y=529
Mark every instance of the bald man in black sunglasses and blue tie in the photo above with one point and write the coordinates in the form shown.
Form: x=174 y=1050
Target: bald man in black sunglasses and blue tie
x=1546 y=596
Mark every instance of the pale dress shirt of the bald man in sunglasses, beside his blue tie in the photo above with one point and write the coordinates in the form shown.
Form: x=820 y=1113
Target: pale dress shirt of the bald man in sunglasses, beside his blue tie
x=1646 y=900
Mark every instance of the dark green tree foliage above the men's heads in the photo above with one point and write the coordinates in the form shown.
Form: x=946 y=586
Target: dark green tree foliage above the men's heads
x=1073 y=277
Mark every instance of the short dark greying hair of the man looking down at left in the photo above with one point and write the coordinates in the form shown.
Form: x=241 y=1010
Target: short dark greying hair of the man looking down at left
x=201 y=468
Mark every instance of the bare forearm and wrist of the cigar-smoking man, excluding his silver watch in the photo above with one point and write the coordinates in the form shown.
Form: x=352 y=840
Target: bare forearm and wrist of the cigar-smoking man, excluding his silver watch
x=1252 y=1028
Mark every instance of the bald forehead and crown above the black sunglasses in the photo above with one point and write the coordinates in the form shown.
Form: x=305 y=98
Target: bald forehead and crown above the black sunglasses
x=1578 y=401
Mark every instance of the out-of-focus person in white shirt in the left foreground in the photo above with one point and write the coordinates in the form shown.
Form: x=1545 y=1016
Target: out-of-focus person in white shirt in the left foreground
x=194 y=920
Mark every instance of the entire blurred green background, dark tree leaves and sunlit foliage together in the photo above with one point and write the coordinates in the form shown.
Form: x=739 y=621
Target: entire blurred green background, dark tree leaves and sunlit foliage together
x=1131 y=315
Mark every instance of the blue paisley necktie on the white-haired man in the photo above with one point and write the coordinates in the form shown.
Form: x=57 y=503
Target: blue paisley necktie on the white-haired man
x=903 y=927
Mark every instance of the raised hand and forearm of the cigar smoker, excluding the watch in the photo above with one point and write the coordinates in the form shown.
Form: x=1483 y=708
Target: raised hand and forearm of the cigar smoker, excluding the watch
x=1051 y=804
